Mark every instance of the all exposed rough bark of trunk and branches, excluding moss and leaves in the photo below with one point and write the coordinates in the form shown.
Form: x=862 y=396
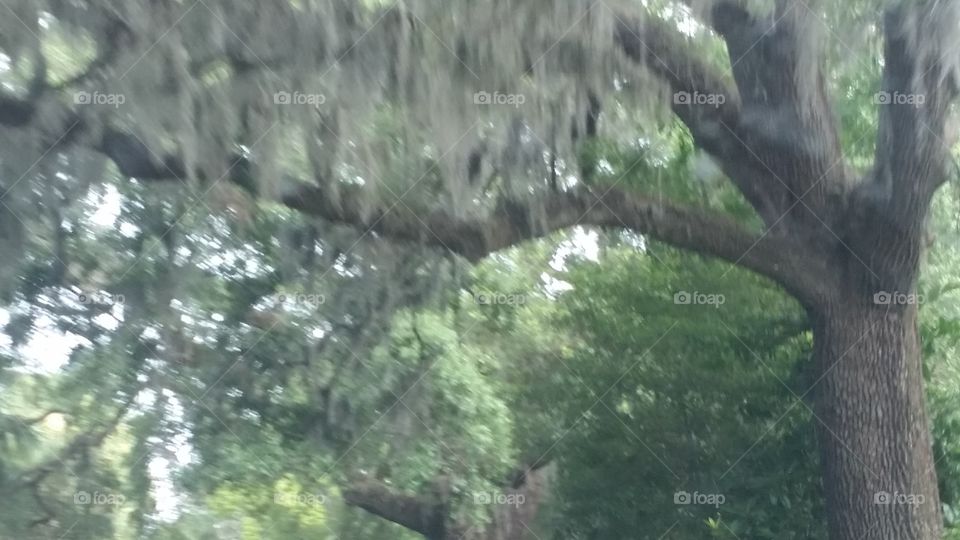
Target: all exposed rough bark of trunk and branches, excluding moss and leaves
x=832 y=240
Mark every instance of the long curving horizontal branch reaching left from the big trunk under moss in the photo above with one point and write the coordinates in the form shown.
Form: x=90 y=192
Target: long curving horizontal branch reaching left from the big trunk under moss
x=698 y=230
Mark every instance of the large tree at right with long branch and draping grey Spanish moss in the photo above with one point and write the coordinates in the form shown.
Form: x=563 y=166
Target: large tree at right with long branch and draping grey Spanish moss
x=845 y=240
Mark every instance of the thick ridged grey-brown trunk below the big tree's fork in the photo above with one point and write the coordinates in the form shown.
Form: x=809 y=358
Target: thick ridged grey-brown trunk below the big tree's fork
x=878 y=466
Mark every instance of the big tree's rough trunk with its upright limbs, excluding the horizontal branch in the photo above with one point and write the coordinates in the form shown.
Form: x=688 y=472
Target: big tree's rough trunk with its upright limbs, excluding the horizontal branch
x=877 y=459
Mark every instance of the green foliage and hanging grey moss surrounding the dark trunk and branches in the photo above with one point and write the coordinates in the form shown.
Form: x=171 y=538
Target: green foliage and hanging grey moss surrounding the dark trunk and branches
x=192 y=359
